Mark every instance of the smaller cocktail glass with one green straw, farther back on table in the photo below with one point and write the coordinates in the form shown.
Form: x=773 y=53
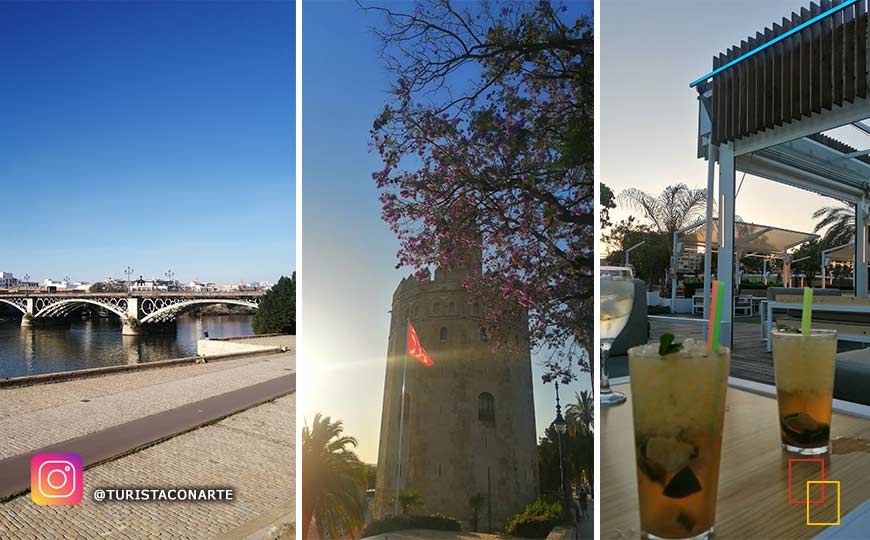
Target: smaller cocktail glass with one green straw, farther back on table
x=804 y=371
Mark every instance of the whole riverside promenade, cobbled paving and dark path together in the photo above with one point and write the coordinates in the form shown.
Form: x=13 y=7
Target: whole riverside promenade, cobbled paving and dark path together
x=105 y=417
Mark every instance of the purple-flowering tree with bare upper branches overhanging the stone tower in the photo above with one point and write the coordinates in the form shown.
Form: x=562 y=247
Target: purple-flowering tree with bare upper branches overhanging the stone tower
x=488 y=144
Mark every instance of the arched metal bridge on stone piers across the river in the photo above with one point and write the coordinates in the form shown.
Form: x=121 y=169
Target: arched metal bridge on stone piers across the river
x=137 y=311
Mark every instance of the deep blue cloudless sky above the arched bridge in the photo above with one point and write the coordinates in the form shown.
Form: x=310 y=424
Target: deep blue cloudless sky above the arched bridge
x=155 y=135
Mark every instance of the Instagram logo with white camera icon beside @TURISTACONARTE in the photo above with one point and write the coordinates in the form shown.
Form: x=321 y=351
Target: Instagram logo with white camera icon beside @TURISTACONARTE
x=56 y=479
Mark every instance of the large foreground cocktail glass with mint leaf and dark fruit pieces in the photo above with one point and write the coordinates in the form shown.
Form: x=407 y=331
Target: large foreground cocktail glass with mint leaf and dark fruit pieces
x=679 y=408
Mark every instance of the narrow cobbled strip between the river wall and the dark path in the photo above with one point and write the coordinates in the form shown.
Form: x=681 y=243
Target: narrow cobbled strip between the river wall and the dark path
x=43 y=415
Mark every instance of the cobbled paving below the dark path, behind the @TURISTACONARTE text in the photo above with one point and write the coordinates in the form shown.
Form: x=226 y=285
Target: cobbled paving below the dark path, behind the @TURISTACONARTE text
x=253 y=452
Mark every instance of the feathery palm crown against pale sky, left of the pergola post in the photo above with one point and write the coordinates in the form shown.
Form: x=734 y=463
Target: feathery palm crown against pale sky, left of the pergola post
x=672 y=209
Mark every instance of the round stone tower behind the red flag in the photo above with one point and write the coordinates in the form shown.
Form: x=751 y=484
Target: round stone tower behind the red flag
x=469 y=420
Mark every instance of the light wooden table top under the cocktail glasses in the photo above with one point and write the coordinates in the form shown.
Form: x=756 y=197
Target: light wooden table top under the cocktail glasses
x=753 y=477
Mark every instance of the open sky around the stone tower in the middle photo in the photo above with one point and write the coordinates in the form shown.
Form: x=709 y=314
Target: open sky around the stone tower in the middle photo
x=349 y=253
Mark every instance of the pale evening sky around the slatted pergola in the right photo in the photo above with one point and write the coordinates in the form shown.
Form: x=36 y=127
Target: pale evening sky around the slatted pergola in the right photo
x=650 y=51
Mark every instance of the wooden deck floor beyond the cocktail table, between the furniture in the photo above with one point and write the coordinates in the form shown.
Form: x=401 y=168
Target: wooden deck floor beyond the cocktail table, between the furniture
x=749 y=357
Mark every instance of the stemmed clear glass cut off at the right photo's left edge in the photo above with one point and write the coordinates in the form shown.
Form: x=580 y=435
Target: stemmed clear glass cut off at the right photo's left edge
x=616 y=299
